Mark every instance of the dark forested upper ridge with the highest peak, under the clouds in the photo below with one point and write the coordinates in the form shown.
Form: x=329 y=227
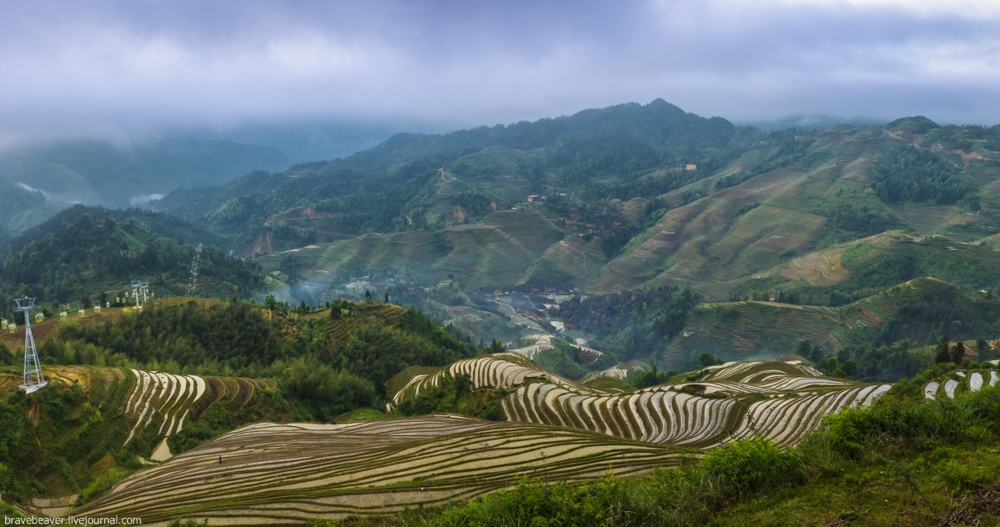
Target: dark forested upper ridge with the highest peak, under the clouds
x=398 y=185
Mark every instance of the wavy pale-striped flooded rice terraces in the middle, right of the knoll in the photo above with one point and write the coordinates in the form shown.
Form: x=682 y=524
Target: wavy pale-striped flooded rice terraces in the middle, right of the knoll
x=781 y=400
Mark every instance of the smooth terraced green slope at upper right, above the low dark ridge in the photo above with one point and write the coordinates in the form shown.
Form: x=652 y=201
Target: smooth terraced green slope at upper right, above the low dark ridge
x=784 y=206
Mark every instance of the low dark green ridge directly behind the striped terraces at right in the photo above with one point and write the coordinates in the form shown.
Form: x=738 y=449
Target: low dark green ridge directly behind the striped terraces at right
x=674 y=330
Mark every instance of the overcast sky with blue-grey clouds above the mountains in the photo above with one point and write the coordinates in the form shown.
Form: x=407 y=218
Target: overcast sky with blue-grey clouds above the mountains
x=99 y=67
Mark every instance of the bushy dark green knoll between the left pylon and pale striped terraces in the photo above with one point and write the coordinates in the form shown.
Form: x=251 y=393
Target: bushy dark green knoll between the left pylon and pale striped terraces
x=332 y=365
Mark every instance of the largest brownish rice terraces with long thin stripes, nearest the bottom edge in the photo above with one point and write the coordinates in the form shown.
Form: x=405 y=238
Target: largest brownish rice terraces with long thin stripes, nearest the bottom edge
x=274 y=474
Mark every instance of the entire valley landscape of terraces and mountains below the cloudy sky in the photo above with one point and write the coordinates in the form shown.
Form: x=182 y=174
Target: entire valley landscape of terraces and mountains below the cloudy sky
x=620 y=297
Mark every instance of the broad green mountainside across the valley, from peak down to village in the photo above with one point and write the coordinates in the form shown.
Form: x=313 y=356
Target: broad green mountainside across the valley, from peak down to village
x=750 y=208
